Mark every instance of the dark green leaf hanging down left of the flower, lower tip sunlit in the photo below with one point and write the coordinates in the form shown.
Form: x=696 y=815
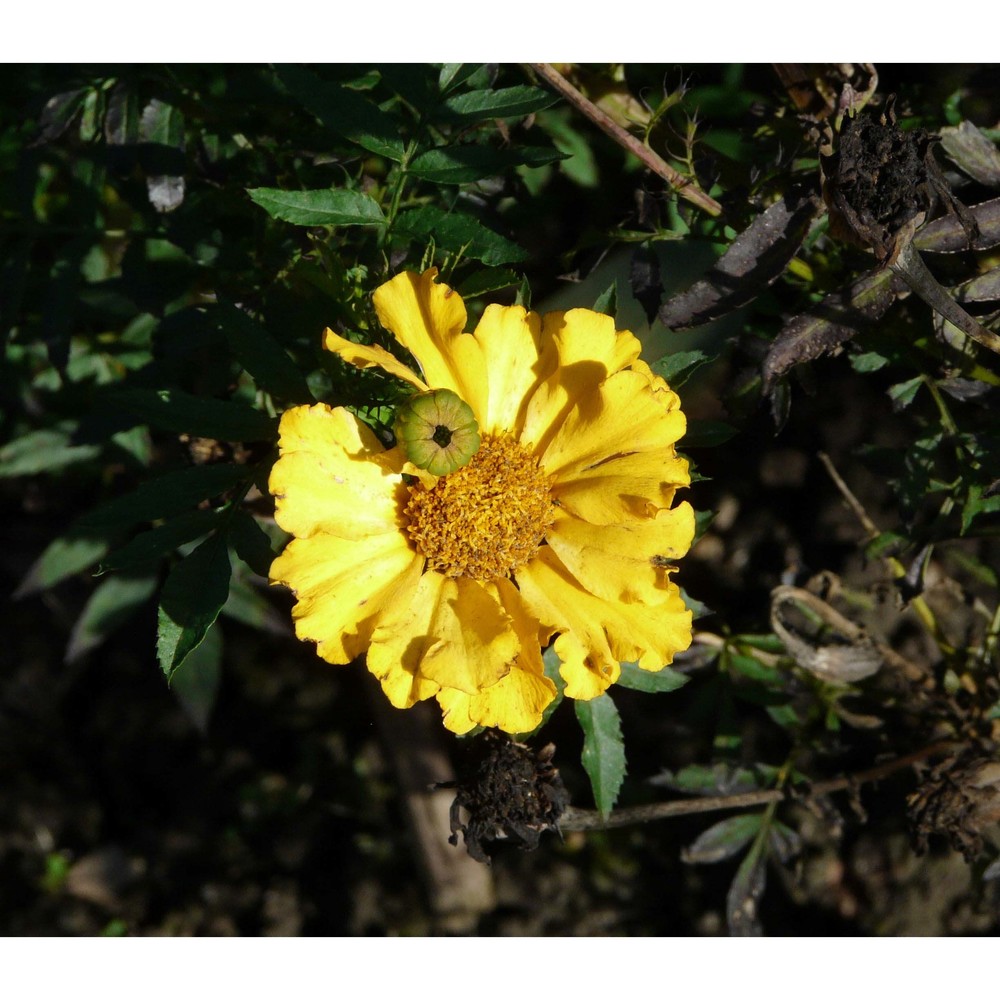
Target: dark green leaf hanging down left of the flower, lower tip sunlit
x=190 y=602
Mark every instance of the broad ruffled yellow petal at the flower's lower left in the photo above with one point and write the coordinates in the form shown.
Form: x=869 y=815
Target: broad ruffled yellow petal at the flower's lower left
x=345 y=587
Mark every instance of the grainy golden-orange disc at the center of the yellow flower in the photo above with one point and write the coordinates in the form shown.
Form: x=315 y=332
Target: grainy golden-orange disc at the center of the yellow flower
x=485 y=519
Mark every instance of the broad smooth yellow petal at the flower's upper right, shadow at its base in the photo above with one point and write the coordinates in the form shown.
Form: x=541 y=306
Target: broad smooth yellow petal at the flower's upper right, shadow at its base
x=622 y=416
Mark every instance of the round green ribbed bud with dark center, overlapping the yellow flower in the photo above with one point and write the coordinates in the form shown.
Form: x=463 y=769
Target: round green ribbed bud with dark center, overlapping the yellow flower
x=438 y=431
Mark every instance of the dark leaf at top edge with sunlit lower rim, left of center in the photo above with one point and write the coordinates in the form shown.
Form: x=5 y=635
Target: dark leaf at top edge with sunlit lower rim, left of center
x=345 y=112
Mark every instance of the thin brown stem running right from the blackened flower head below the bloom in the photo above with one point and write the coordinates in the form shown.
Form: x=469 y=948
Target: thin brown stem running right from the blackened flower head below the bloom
x=589 y=819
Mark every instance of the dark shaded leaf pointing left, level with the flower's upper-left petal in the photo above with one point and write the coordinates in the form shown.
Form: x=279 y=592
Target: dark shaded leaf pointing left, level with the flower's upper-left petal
x=175 y=410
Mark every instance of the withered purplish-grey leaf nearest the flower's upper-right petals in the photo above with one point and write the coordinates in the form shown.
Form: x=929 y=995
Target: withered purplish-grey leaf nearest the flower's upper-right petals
x=754 y=260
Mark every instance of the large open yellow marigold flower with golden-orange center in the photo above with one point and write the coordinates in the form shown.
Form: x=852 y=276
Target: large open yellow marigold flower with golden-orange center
x=560 y=525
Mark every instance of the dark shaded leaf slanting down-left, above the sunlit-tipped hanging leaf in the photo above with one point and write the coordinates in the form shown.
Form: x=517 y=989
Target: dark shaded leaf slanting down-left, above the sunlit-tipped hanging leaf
x=164 y=496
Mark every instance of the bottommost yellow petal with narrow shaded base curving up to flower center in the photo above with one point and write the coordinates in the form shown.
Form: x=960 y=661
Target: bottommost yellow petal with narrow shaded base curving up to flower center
x=516 y=702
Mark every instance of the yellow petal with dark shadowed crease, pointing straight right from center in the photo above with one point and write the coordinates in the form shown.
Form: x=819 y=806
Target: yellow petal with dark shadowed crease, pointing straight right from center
x=624 y=487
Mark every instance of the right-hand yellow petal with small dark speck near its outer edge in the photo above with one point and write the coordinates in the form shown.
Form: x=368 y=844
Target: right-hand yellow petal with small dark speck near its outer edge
x=625 y=562
